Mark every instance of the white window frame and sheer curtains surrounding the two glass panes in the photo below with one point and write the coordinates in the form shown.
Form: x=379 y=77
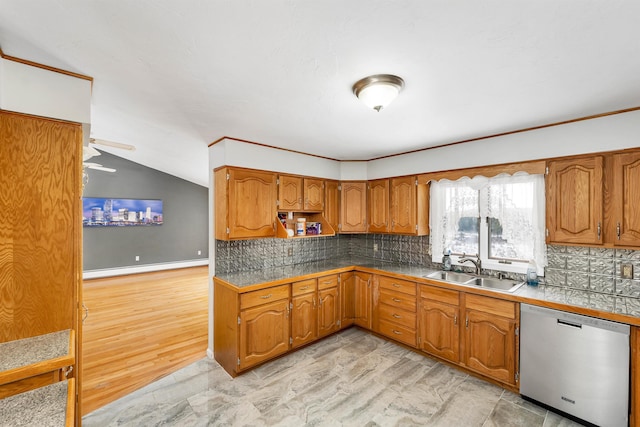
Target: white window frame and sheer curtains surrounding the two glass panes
x=480 y=183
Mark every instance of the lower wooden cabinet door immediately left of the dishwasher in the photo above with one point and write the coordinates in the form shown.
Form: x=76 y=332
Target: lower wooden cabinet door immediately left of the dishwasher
x=490 y=345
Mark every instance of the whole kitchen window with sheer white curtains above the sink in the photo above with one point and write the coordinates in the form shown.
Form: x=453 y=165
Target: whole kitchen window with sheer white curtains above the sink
x=501 y=219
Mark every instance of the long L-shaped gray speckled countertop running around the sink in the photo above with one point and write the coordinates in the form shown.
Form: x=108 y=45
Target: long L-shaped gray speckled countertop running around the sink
x=613 y=307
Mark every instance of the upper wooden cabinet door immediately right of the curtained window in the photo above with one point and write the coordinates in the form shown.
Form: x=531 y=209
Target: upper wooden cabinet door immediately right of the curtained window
x=575 y=201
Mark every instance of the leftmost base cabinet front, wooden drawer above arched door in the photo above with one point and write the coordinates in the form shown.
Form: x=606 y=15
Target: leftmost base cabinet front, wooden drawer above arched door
x=264 y=325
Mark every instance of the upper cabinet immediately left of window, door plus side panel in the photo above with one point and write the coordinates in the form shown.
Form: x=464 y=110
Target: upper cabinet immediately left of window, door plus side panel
x=409 y=211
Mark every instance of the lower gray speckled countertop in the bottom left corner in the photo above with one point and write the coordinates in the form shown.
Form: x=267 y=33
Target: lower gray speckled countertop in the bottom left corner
x=43 y=407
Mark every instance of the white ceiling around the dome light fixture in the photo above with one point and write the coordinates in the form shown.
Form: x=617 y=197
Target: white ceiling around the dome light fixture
x=172 y=76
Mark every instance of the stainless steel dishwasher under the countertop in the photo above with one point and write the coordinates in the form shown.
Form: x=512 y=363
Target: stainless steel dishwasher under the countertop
x=576 y=364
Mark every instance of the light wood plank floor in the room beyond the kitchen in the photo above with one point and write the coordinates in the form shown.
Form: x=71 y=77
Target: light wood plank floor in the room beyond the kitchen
x=141 y=328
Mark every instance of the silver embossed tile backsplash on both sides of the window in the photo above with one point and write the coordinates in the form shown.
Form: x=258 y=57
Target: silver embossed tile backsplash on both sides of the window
x=579 y=268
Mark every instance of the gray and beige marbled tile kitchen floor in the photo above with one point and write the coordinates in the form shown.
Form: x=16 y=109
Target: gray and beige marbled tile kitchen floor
x=349 y=379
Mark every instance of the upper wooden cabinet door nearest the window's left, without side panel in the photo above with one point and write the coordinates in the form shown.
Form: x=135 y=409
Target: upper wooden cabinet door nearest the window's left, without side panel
x=403 y=205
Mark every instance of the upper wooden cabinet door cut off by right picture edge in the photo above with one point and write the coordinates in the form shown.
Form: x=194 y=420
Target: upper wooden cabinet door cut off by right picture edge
x=625 y=200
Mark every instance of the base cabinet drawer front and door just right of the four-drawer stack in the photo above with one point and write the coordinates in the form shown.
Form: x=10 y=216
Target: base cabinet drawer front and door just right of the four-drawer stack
x=439 y=322
